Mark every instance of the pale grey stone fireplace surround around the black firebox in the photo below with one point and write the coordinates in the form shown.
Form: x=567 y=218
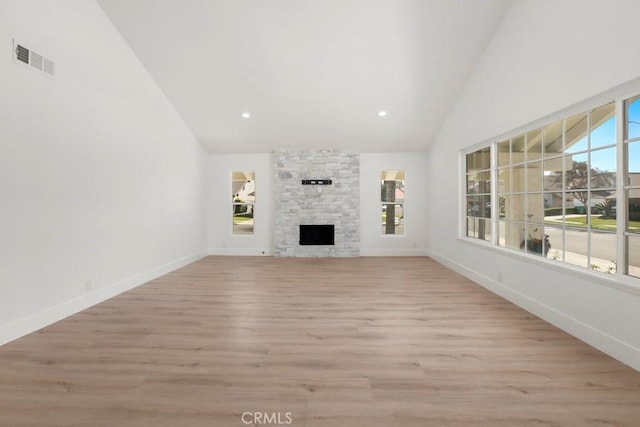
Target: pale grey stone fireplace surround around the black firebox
x=337 y=204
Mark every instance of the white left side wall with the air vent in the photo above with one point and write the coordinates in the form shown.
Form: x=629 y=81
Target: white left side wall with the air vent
x=101 y=182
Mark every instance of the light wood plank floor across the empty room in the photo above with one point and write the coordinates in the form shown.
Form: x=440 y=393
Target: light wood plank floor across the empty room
x=334 y=342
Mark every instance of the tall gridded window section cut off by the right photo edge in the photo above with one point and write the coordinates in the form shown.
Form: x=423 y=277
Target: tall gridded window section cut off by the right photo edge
x=632 y=184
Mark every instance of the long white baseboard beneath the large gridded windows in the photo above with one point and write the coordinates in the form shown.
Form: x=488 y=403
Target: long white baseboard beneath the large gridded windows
x=604 y=342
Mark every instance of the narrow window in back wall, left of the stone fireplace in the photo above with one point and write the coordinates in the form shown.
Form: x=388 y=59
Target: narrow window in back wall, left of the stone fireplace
x=243 y=197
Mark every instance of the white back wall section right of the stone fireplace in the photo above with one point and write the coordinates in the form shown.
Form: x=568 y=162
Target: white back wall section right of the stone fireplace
x=412 y=243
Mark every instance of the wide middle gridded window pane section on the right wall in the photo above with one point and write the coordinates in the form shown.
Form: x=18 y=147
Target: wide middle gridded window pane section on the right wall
x=557 y=189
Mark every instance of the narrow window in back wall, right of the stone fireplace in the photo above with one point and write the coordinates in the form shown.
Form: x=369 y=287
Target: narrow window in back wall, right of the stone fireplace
x=392 y=188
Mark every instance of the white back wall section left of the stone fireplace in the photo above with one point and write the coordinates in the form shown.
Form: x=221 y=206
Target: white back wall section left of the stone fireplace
x=221 y=240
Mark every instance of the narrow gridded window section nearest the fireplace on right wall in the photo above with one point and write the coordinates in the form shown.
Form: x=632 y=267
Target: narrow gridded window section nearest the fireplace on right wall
x=478 y=194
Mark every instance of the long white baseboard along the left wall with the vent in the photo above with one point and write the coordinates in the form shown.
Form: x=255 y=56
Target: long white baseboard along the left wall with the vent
x=21 y=327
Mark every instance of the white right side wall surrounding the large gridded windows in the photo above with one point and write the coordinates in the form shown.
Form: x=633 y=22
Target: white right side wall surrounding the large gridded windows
x=546 y=56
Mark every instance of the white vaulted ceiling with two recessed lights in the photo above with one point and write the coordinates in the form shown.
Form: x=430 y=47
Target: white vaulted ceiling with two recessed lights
x=312 y=73
